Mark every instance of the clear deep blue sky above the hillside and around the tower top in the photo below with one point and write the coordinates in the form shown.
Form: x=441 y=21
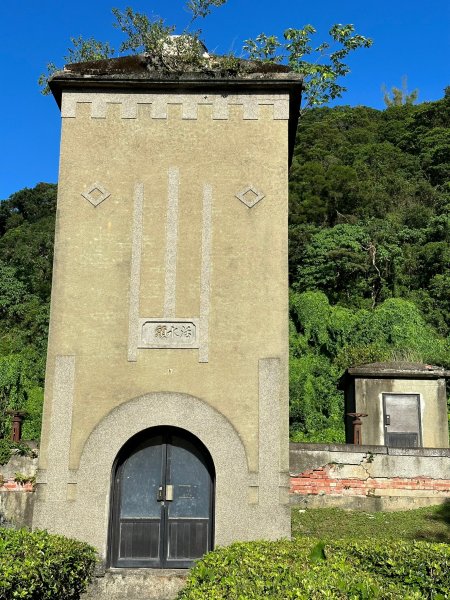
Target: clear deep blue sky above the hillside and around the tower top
x=410 y=38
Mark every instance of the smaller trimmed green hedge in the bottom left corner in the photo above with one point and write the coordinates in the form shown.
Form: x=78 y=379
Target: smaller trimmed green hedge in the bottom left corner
x=37 y=565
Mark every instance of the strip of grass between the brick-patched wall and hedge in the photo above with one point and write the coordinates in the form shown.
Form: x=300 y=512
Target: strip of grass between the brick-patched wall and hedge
x=431 y=524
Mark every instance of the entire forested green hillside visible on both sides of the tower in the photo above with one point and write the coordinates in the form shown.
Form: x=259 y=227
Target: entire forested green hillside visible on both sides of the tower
x=369 y=260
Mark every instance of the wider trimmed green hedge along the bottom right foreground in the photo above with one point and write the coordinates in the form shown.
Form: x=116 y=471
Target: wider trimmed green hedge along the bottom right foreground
x=306 y=569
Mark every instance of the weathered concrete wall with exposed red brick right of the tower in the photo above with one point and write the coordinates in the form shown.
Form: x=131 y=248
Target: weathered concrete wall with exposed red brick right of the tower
x=368 y=477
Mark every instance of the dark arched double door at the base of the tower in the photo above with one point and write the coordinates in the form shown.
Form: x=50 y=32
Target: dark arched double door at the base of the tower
x=162 y=500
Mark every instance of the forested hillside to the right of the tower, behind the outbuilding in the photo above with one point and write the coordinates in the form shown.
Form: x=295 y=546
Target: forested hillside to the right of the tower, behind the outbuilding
x=369 y=250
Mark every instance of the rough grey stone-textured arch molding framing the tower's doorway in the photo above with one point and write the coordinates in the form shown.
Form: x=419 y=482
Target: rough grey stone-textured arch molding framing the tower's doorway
x=176 y=410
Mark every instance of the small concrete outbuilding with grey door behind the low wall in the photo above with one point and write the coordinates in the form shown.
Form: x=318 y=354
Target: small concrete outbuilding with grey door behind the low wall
x=397 y=404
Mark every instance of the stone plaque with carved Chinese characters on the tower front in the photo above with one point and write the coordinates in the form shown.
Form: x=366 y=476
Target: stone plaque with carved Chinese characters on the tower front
x=170 y=333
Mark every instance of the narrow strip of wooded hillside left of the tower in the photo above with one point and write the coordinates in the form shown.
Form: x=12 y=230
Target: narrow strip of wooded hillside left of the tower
x=27 y=221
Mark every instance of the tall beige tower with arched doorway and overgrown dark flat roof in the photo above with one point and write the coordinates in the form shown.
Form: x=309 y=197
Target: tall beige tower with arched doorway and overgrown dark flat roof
x=165 y=426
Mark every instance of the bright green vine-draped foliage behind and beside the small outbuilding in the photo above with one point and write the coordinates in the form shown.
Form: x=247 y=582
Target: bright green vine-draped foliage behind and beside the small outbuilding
x=325 y=340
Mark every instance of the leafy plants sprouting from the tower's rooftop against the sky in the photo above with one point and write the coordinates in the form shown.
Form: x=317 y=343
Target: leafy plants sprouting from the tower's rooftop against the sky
x=322 y=65
